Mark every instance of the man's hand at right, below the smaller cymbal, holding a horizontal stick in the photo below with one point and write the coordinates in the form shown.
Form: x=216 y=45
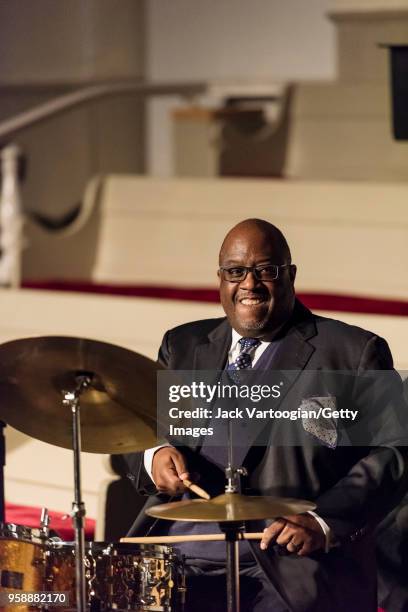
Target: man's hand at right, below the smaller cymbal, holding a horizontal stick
x=300 y=533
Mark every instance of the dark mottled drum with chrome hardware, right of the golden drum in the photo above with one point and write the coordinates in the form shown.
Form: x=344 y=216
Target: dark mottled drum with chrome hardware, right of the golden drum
x=118 y=576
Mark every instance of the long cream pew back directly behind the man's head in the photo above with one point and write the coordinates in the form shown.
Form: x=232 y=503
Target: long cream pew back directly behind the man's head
x=169 y=232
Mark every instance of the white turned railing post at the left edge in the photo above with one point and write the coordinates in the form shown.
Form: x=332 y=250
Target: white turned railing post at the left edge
x=11 y=218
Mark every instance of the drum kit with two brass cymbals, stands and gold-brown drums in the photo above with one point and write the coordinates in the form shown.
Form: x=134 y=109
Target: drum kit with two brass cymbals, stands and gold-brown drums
x=91 y=396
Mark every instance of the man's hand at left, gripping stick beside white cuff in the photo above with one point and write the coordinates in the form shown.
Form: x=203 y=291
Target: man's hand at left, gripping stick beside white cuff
x=169 y=470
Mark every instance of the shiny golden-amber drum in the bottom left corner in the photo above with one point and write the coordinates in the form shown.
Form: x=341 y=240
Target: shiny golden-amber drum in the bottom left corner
x=22 y=556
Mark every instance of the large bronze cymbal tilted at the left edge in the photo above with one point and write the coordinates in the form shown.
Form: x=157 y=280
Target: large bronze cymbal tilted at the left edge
x=118 y=410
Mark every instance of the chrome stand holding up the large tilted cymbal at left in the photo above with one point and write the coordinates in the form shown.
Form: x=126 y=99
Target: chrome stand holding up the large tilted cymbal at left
x=71 y=399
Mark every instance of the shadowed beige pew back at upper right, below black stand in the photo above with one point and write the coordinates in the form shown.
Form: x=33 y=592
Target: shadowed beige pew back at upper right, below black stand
x=343 y=131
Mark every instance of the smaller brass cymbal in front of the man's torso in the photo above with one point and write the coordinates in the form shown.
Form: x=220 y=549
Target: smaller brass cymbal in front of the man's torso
x=230 y=507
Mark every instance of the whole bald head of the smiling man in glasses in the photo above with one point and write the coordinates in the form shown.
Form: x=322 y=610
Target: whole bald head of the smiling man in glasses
x=255 y=250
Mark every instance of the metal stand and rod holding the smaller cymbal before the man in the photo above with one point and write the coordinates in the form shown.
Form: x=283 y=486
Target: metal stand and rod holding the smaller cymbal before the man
x=232 y=530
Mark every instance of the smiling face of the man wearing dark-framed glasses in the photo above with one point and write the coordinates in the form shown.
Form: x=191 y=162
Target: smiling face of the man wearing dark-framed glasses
x=253 y=307
